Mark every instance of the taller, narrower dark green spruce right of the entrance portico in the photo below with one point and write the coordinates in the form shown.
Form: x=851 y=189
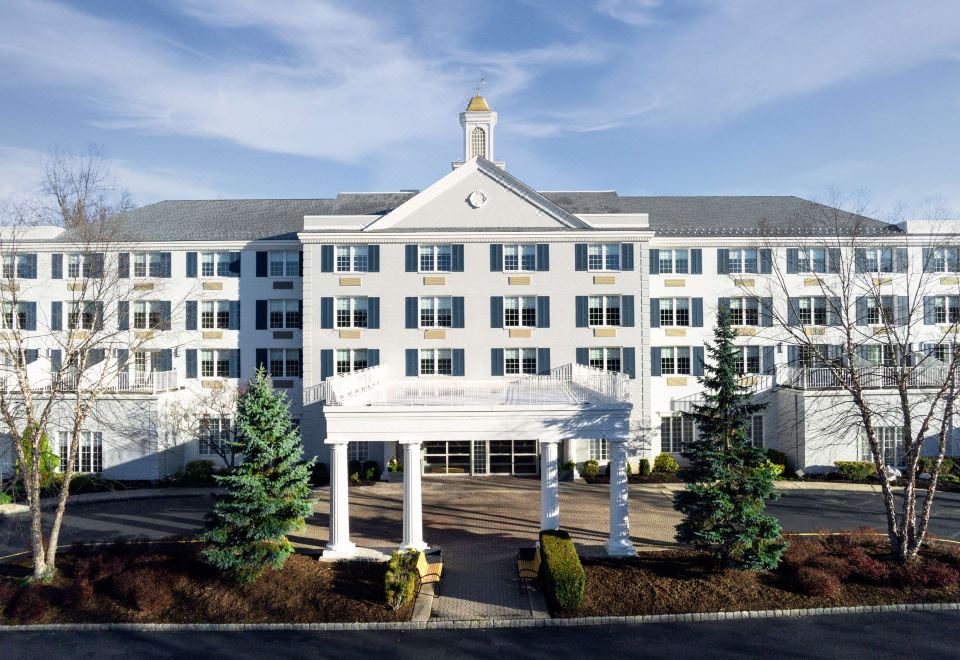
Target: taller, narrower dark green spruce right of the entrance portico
x=723 y=504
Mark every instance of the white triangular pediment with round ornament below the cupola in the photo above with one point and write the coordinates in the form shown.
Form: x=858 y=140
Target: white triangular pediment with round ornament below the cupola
x=477 y=196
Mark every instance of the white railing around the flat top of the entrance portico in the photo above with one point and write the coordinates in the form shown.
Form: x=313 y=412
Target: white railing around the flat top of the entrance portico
x=565 y=385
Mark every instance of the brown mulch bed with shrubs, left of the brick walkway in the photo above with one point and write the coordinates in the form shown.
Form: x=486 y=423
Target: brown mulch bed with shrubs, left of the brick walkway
x=169 y=583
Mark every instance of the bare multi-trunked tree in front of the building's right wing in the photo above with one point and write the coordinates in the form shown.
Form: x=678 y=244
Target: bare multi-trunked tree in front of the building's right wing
x=871 y=335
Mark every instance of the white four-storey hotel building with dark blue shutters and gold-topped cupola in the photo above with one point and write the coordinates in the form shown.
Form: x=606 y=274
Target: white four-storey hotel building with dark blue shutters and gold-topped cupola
x=475 y=327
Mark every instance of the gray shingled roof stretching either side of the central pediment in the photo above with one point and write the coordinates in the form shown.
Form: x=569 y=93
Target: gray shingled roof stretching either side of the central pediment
x=275 y=219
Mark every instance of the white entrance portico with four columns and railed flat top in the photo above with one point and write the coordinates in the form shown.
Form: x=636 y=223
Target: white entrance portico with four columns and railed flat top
x=567 y=403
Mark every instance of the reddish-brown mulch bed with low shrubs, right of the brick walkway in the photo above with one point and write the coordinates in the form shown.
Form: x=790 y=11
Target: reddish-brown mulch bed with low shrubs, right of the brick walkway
x=816 y=572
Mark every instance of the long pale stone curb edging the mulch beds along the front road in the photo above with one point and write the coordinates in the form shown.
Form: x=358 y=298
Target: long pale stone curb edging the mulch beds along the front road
x=483 y=623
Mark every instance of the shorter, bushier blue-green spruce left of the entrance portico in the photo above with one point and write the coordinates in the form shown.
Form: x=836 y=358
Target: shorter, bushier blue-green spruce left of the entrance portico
x=268 y=493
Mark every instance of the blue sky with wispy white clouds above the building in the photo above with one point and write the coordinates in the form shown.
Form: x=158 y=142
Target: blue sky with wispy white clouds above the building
x=215 y=98
